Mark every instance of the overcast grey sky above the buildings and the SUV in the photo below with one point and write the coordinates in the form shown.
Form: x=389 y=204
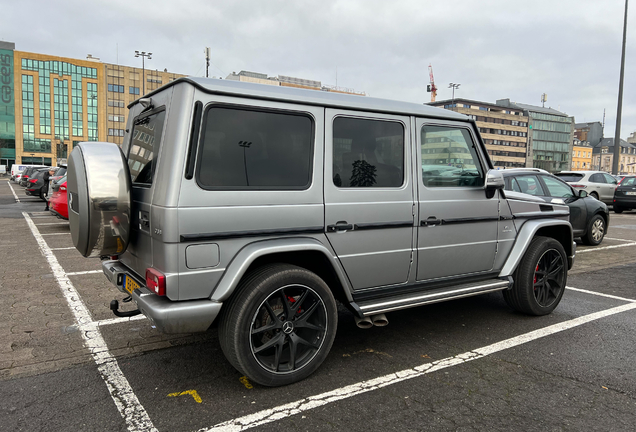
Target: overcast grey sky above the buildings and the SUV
x=569 y=49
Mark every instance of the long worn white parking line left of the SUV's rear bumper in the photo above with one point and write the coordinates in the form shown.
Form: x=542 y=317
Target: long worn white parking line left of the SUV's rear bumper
x=129 y=407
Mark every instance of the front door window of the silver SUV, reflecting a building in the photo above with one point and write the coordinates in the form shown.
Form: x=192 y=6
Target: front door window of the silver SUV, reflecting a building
x=449 y=158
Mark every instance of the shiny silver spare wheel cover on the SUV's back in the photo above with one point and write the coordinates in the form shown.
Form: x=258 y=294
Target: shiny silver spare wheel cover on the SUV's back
x=98 y=184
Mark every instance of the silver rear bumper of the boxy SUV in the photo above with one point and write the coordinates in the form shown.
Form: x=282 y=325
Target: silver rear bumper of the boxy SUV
x=168 y=316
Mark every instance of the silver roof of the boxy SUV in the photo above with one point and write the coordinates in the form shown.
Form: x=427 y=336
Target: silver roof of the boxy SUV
x=310 y=97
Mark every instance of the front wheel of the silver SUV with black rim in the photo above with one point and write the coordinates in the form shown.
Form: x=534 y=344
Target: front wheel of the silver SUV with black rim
x=534 y=292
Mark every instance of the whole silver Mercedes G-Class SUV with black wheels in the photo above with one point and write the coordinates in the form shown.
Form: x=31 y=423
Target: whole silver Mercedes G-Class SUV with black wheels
x=258 y=206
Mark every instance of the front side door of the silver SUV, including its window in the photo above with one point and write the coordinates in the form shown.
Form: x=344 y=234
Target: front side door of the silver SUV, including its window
x=457 y=233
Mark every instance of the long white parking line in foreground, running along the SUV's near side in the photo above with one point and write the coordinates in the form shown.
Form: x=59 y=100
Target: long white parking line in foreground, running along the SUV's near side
x=309 y=403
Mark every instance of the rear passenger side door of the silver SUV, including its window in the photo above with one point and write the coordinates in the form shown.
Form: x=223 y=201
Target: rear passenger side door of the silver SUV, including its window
x=369 y=196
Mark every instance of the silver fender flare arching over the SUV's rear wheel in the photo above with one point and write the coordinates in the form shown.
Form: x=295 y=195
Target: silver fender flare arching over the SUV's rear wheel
x=246 y=256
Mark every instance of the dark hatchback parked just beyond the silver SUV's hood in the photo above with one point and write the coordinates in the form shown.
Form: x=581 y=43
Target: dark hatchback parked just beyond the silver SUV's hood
x=589 y=217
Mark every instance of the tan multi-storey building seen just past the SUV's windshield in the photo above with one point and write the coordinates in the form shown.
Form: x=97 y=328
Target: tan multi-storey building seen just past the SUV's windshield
x=504 y=130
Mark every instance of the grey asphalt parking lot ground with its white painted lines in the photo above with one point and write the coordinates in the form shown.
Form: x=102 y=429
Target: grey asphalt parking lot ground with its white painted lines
x=67 y=363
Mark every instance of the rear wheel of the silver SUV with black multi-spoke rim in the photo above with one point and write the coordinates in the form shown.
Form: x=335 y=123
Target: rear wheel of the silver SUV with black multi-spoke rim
x=275 y=352
